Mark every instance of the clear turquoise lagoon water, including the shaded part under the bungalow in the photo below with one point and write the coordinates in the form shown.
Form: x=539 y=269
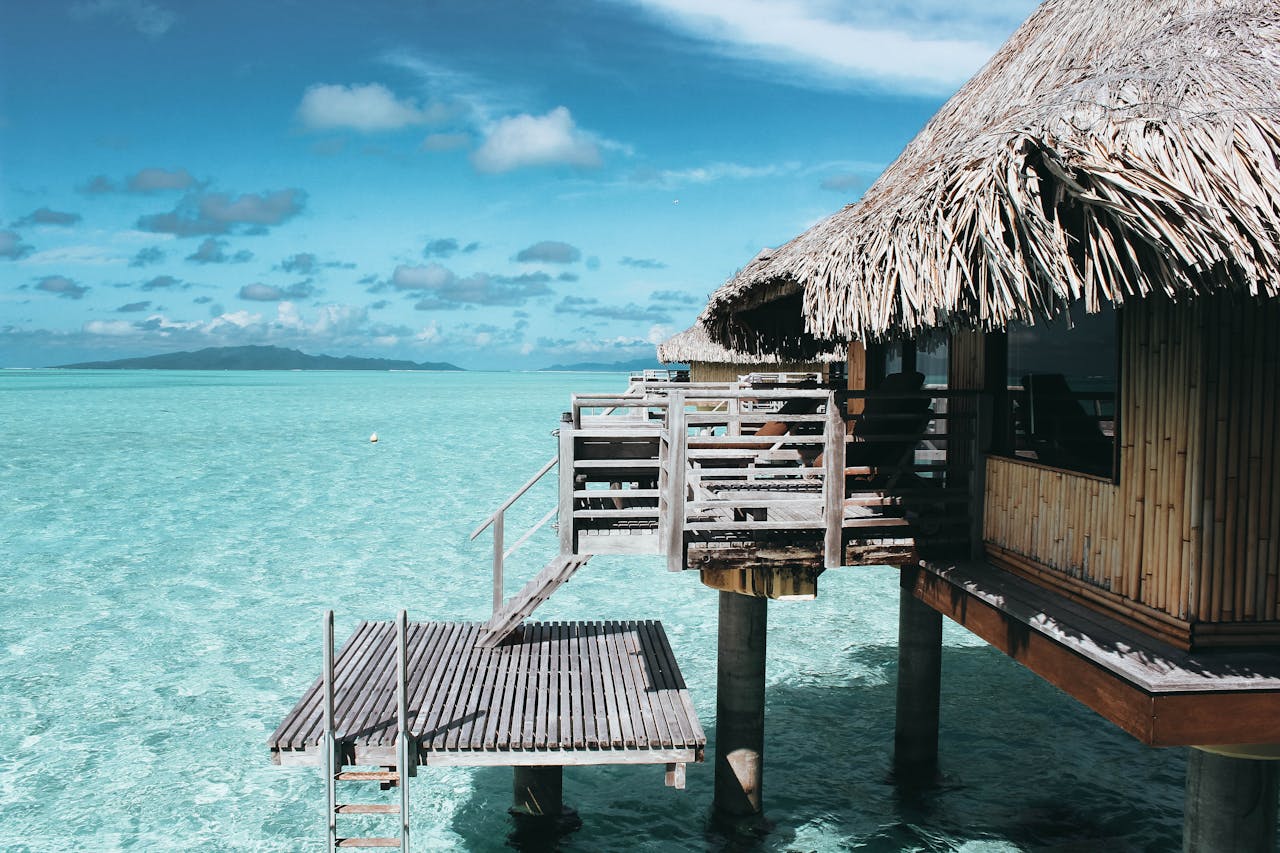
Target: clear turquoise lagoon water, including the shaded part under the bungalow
x=168 y=542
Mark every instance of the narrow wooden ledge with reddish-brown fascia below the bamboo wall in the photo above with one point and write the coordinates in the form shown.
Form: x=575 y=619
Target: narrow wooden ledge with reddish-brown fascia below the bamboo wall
x=1154 y=691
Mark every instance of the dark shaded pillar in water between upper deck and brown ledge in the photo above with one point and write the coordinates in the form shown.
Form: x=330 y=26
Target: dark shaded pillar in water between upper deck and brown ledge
x=920 y=685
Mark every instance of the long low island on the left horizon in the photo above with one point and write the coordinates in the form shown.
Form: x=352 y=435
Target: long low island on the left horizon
x=257 y=359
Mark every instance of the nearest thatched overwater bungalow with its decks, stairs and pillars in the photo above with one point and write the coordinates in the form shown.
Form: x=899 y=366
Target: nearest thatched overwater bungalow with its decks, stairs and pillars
x=1087 y=240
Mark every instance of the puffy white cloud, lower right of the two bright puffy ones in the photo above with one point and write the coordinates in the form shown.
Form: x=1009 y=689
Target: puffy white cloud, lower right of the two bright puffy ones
x=527 y=140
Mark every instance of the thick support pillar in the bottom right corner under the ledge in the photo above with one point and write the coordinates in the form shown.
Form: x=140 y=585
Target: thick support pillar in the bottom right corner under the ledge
x=1231 y=804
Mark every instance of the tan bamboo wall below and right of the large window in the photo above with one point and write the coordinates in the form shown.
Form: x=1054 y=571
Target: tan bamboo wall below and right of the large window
x=1191 y=530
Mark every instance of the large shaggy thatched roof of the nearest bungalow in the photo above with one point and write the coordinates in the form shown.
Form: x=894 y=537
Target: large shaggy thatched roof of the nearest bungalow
x=1109 y=150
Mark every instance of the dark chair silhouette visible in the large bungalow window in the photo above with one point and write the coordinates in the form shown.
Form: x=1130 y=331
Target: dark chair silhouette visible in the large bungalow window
x=1059 y=428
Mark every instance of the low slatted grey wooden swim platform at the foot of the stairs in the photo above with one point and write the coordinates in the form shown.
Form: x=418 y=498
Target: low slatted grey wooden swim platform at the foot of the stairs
x=557 y=694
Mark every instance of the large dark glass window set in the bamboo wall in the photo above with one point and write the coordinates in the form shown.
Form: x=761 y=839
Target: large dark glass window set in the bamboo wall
x=1062 y=380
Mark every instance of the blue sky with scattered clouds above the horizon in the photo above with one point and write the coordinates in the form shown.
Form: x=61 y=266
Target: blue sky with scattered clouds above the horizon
x=499 y=185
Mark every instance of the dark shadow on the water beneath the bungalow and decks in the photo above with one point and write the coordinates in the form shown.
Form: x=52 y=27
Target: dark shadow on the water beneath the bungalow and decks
x=1023 y=768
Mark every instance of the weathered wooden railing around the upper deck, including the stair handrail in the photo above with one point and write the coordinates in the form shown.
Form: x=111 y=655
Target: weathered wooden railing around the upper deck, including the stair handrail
x=665 y=466
